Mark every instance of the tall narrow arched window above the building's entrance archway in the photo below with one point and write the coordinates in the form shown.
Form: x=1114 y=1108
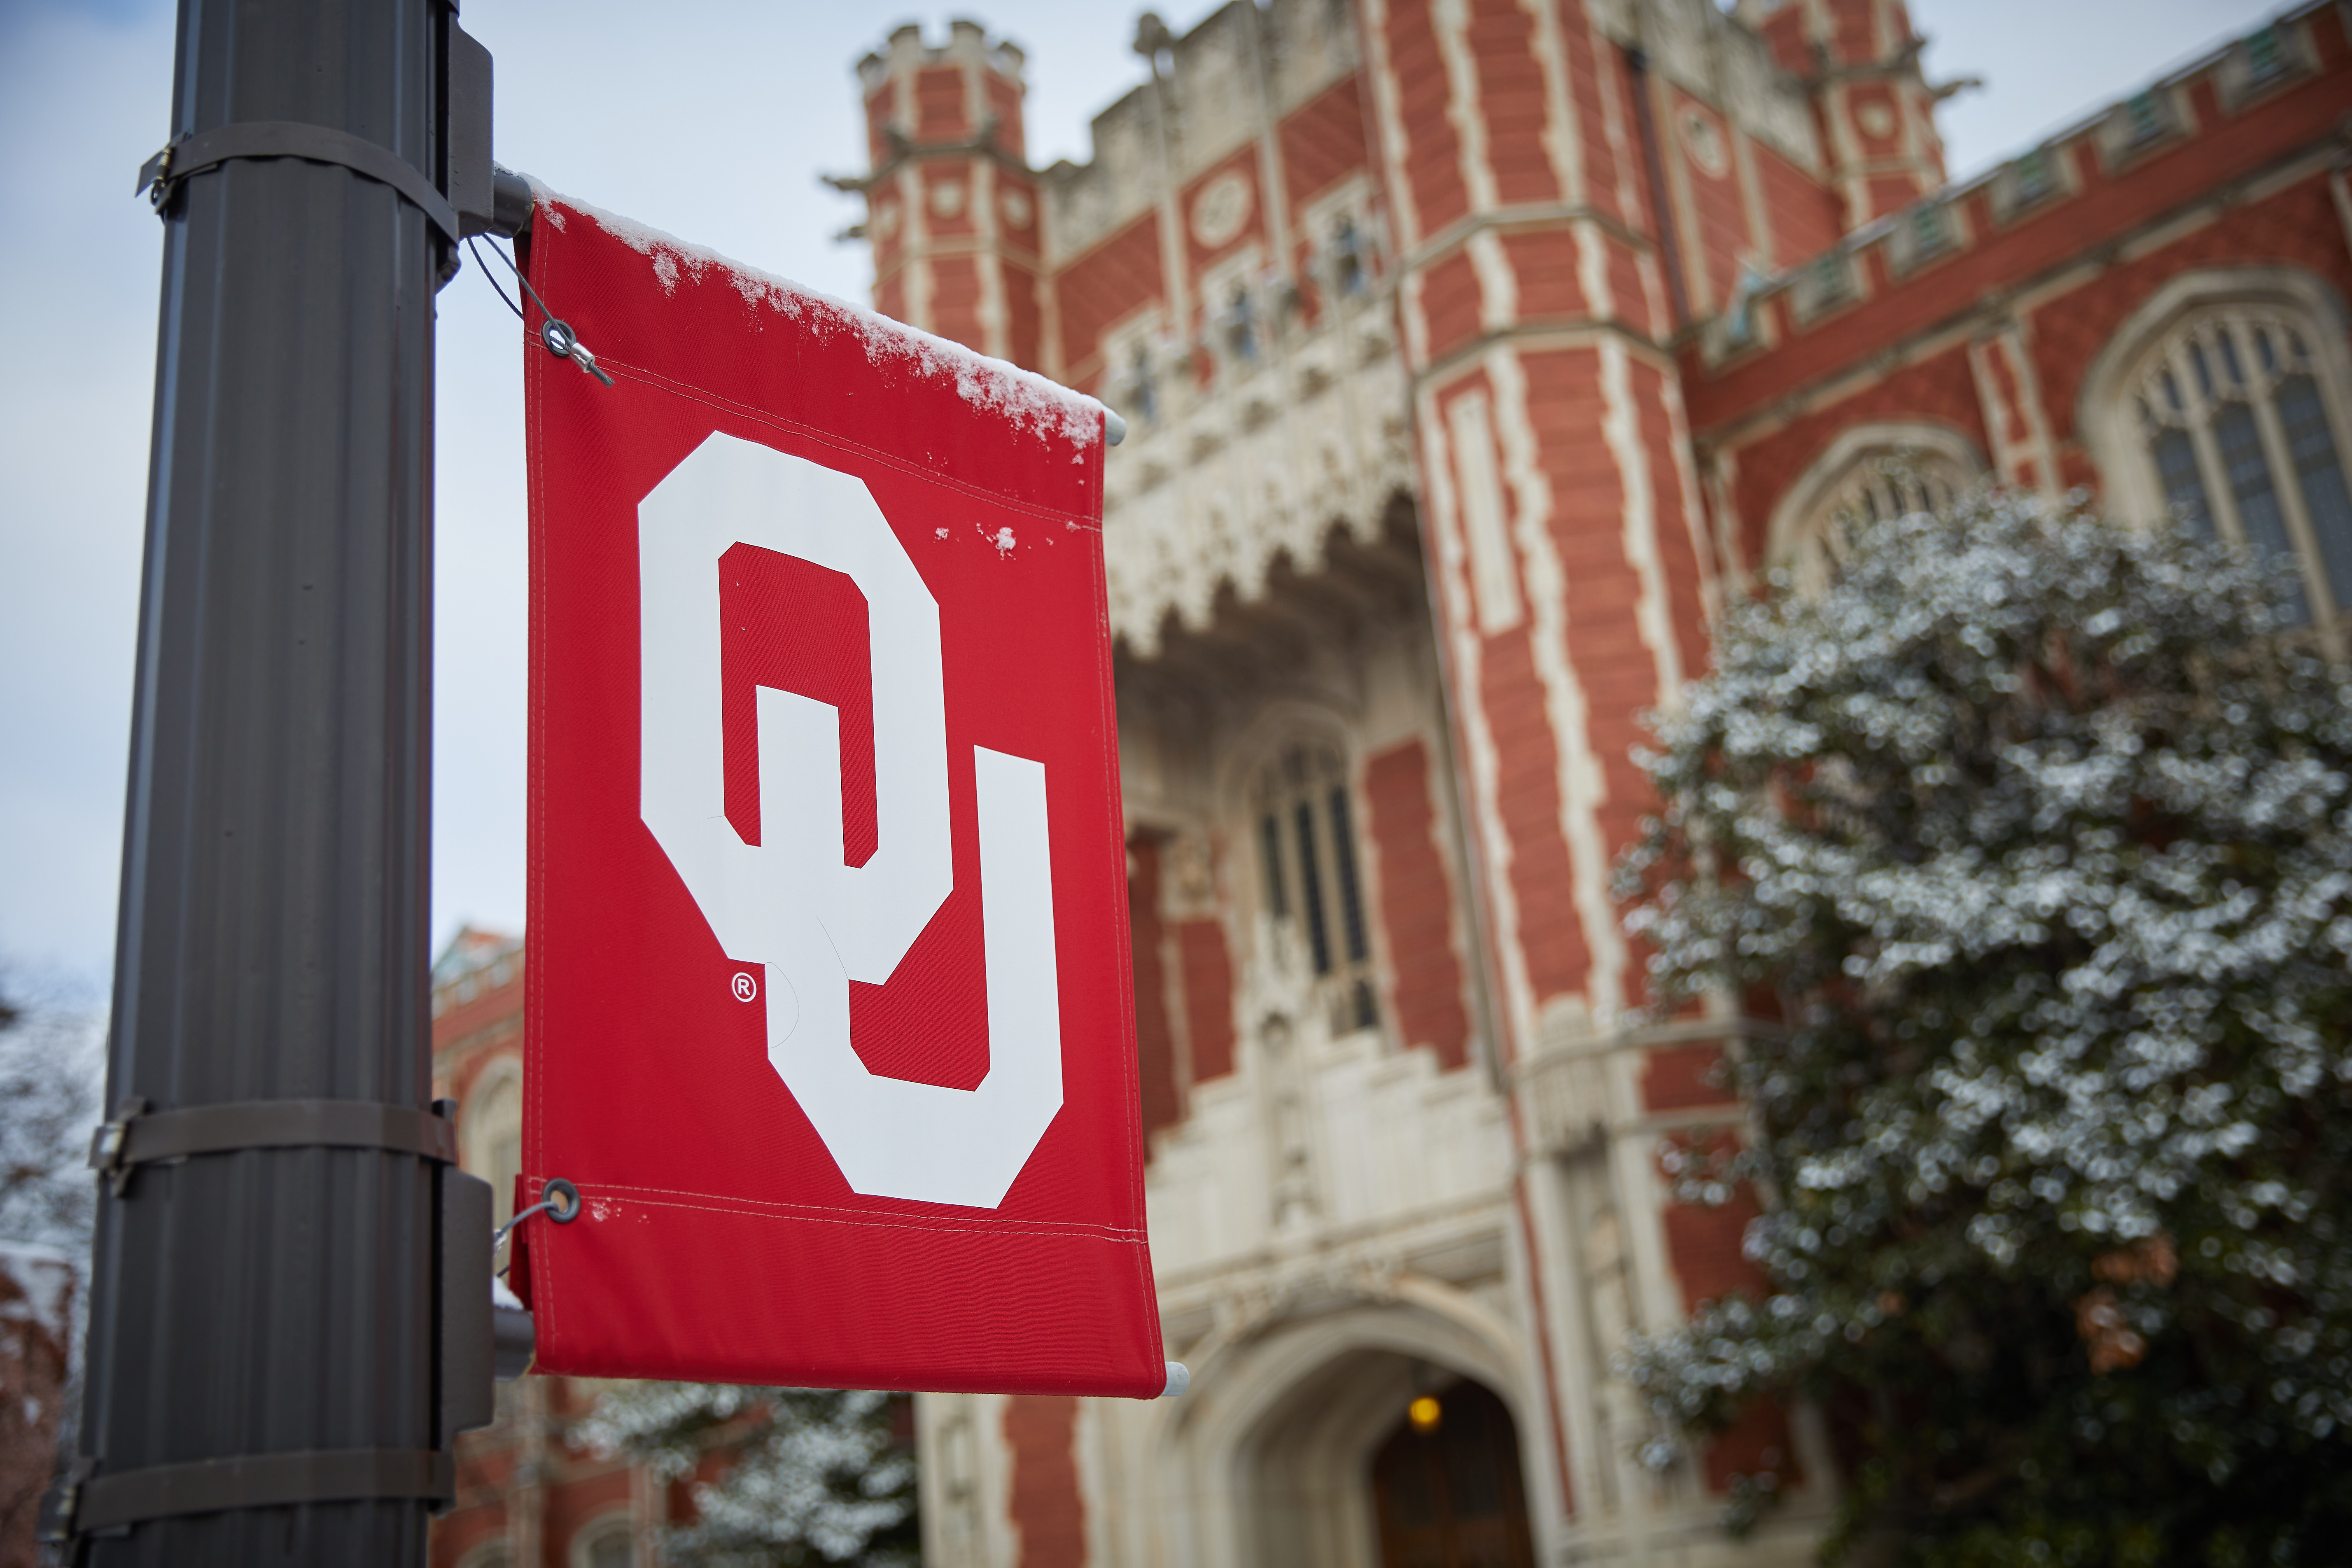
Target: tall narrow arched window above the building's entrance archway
x=1309 y=862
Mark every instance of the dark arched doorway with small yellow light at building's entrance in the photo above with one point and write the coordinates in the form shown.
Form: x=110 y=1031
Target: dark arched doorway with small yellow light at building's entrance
x=1448 y=1489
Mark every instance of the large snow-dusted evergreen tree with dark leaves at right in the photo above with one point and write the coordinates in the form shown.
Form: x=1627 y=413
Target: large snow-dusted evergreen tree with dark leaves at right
x=2031 y=838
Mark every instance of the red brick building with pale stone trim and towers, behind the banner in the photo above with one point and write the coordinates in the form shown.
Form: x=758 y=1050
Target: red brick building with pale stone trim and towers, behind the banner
x=1474 y=354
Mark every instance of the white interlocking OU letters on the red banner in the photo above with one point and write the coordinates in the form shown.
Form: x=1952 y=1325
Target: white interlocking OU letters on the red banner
x=791 y=902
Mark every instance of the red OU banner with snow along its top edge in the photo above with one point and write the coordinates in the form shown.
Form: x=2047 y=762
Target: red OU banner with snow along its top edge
x=831 y=1012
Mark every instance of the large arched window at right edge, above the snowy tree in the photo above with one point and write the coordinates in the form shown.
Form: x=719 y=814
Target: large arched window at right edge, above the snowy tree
x=2245 y=441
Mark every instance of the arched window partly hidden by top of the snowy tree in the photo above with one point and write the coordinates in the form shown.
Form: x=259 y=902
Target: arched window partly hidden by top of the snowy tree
x=1869 y=474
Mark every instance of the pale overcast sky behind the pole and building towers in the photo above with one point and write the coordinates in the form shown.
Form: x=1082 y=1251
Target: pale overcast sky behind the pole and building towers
x=704 y=119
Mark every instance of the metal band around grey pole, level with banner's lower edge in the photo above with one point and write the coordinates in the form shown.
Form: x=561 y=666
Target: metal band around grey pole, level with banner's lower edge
x=140 y=1137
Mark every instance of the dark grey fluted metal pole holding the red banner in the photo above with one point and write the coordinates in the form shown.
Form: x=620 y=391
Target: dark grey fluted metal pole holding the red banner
x=283 y=1334
